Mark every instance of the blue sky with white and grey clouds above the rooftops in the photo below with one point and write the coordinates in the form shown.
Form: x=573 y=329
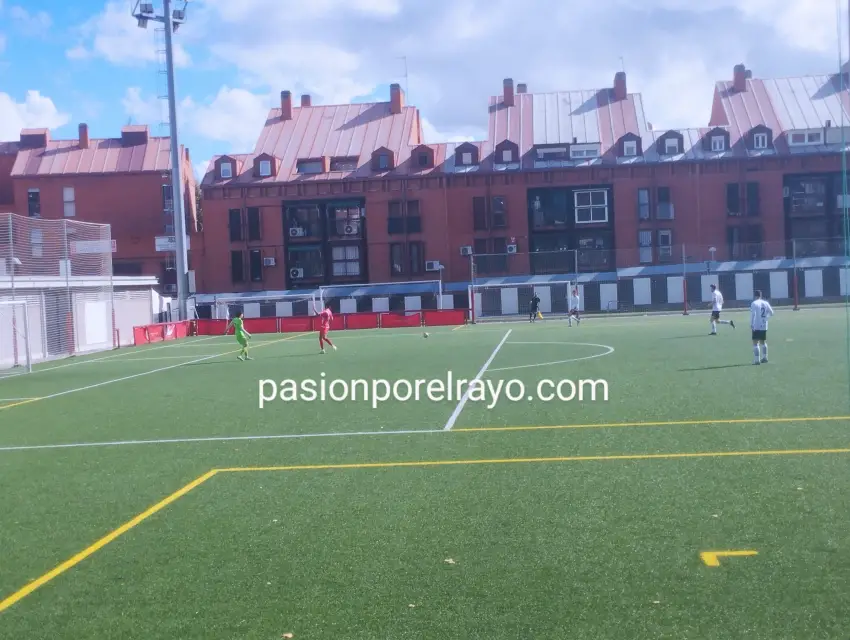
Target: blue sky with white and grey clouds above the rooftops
x=62 y=63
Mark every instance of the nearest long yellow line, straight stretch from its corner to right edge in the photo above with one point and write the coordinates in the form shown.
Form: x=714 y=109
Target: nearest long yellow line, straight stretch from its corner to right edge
x=441 y=463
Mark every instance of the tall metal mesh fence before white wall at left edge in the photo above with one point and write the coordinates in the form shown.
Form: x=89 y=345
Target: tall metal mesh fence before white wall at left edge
x=63 y=270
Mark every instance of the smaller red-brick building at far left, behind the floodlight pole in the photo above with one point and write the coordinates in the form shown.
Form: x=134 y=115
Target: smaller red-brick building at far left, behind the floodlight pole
x=124 y=182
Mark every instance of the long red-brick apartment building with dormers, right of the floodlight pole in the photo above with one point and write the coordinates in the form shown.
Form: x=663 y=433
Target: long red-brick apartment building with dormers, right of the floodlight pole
x=565 y=180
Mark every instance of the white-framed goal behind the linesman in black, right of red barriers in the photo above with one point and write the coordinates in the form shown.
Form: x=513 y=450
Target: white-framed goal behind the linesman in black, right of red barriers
x=513 y=301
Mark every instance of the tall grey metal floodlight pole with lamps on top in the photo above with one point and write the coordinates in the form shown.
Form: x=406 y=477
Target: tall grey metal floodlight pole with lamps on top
x=172 y=18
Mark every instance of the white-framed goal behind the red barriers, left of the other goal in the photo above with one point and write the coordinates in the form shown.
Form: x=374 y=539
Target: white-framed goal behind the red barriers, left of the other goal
x=381 y=297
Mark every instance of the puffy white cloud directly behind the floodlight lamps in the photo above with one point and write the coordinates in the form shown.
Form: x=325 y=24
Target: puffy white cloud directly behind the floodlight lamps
x=114 y=36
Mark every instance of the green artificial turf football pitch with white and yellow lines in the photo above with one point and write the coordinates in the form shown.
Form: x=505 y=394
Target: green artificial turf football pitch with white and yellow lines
x=145 y=493
